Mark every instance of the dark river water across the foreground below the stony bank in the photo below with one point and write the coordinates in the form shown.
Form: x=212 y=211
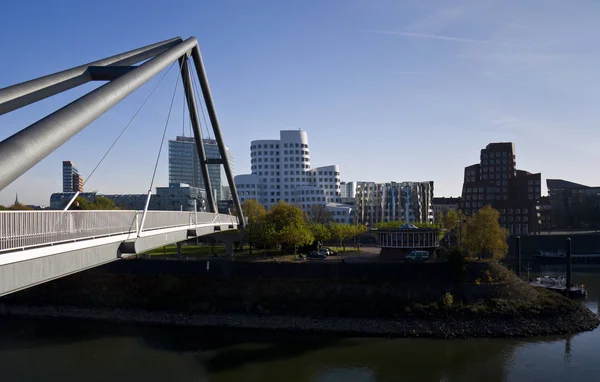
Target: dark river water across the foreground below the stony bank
x=49 y=350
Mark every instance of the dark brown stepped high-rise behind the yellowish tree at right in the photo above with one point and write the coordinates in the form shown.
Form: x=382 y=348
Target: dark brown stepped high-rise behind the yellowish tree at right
x=496 y=181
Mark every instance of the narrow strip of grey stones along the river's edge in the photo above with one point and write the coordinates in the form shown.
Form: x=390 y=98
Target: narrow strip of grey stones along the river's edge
x=504 y=327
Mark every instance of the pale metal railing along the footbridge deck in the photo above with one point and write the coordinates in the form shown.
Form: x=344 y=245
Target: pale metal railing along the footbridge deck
x=22 y=229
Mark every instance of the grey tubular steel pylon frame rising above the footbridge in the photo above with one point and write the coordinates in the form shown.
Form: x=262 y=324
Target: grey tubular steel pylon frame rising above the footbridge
x=24 y=149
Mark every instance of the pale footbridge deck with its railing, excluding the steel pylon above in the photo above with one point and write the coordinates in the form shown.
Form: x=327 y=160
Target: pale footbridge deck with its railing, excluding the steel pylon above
x=39 y=246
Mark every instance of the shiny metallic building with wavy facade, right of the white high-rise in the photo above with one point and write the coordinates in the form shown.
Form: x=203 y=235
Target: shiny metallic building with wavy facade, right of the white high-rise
x=387 y=202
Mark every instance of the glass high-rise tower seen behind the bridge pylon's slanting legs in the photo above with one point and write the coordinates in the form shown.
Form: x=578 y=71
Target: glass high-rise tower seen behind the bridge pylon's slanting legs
x=184 y=166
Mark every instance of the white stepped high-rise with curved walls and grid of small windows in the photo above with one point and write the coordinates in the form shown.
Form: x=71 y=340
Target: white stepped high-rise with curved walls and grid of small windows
x=281 y=170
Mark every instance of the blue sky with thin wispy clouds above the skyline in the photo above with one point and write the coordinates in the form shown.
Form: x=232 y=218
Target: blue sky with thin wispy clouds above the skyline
x=387 y=89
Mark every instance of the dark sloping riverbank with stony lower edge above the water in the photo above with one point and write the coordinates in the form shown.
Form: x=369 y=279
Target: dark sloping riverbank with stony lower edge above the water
x=477 y=300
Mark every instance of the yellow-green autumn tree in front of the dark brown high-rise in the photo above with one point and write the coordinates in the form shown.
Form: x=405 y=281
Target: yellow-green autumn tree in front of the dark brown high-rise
x=483 y=234
